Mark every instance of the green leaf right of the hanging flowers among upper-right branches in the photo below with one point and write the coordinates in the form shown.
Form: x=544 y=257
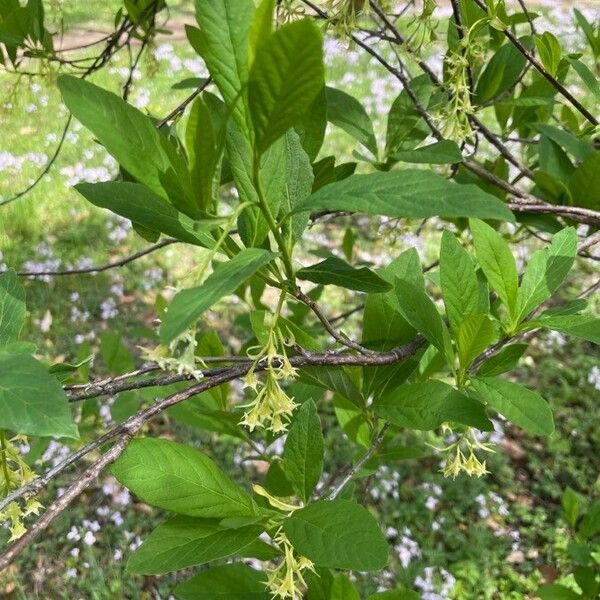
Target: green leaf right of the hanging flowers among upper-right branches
x=501 y=73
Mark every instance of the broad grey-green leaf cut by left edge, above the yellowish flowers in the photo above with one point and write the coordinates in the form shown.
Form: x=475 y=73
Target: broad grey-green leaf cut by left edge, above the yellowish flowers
x=32 y=401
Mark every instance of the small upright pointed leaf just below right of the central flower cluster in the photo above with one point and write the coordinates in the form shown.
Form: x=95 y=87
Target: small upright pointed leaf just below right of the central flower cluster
x=303 y=451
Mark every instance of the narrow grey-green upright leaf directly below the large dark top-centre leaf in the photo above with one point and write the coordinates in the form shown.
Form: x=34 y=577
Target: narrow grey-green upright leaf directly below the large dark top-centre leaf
x=298 y=186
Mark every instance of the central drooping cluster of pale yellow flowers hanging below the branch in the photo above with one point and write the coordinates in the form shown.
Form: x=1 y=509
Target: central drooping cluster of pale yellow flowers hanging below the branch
x=272 y=407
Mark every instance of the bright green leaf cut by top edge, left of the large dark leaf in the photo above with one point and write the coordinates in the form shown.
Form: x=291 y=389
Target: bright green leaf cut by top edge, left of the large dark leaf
x=223 y=44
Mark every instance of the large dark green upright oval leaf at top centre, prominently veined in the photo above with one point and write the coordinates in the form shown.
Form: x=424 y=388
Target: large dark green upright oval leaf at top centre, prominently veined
x=286 y=77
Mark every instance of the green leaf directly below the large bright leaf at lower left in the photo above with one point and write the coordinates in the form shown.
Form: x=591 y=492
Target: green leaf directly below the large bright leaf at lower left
x=186 y=541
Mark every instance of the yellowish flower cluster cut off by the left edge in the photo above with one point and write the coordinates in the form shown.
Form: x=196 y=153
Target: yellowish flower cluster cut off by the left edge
x=15 y=472
